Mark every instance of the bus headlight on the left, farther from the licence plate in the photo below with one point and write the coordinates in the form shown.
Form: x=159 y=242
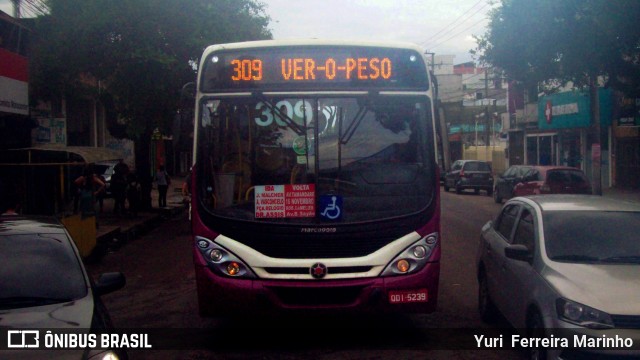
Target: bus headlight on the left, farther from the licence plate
x=222 y=261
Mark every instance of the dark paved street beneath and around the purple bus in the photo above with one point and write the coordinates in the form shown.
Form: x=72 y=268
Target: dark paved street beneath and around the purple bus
x=160 y=294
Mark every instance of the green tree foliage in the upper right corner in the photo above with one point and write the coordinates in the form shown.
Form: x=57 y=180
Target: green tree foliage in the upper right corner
x=566 y=40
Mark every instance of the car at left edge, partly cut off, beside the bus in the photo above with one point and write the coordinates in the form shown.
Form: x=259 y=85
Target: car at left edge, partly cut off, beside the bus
x=45 y=286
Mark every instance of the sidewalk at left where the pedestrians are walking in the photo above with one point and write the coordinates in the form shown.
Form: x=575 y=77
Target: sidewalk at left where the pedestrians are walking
x=114 y=230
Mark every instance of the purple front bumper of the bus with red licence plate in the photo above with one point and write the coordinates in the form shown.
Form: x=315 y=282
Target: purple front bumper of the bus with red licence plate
x=414 y=293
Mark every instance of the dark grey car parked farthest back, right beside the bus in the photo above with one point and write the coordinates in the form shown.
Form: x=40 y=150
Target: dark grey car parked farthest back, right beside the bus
x=469 y=174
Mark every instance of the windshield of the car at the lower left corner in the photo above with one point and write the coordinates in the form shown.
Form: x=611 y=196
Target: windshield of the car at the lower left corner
x=39 y=269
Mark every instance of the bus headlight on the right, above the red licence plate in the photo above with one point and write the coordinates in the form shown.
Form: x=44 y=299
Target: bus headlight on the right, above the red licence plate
x=414 y=258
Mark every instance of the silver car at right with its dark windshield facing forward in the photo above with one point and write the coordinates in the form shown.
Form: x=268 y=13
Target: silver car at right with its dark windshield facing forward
x=567 y=265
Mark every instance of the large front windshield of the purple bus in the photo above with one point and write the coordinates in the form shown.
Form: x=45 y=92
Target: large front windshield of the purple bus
x=301 y=159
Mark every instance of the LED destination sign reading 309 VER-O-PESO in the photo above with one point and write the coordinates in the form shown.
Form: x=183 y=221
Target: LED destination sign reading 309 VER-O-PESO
x=321 y=68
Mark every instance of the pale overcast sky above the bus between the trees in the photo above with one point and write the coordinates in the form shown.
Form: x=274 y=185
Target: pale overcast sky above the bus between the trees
x=442 y=27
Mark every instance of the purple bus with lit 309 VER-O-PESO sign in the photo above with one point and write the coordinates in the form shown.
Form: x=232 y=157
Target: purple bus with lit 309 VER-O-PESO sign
x=315 y=185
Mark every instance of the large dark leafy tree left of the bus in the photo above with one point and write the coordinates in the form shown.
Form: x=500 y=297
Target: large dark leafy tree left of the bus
x=141 y=52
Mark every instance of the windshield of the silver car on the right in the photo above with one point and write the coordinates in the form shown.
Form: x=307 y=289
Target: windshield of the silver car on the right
x=592 y=236
